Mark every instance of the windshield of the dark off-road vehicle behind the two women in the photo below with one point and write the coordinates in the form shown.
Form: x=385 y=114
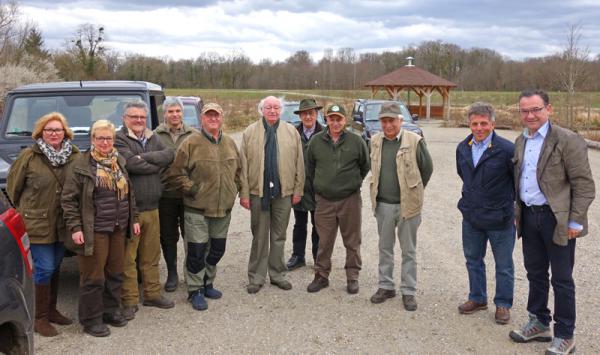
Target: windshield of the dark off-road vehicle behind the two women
x=79 y=110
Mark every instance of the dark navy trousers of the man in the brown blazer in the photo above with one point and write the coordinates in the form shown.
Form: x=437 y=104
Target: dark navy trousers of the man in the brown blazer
x=540 y=253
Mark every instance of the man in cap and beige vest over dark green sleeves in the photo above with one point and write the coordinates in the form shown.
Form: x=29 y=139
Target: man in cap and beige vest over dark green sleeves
x=401 y=167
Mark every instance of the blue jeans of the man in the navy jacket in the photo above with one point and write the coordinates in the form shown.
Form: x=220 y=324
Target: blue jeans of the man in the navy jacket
x=474 y=247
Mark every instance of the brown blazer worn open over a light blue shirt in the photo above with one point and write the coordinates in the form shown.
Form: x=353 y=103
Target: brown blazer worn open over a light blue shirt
x=565 y=178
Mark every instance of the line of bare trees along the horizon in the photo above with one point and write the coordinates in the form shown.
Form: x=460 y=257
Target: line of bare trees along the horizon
x=85 y=56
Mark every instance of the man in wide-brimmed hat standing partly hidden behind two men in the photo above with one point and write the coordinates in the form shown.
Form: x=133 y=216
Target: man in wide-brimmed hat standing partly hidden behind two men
x=308 y=127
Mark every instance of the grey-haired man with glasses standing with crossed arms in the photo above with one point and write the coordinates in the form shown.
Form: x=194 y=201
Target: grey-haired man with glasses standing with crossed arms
x=146 y=157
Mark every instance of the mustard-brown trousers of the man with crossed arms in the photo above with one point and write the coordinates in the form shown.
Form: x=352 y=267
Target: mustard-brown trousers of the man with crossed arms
x=145 y=249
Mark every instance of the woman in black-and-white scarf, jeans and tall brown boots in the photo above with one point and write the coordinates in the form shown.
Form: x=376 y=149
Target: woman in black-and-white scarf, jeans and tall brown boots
x=35 y=183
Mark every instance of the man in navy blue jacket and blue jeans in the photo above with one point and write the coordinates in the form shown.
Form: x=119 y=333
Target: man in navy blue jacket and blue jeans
x=483 y=161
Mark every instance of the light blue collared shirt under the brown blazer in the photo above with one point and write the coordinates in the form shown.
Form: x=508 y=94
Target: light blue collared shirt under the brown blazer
x=529 y=190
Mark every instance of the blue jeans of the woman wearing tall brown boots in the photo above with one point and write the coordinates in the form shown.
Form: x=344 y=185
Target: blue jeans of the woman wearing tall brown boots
x=46 y=260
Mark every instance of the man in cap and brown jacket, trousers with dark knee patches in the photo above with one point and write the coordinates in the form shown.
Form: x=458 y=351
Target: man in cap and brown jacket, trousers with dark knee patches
x=207 y=171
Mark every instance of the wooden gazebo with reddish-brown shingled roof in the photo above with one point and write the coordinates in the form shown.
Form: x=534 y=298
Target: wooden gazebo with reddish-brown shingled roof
x=422 y=82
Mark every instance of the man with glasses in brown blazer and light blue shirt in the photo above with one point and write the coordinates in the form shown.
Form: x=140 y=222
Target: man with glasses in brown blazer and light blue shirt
x=554 y=188
